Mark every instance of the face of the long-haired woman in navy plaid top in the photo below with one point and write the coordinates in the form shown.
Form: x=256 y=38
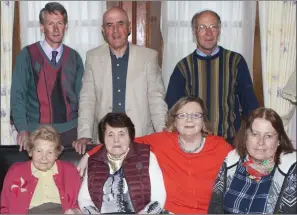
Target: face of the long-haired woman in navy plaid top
x=262 y=140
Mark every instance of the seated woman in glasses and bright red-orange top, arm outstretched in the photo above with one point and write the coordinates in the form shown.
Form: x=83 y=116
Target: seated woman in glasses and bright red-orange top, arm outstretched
x=188 y=155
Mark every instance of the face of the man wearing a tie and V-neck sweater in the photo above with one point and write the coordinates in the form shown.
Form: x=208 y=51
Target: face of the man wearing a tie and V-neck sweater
x=53 y=28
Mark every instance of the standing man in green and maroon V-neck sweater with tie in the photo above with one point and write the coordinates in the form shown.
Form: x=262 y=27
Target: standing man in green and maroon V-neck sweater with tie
x=46 y=81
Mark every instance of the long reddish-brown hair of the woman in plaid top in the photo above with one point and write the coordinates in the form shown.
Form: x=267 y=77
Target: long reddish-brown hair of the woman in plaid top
x=285 y=144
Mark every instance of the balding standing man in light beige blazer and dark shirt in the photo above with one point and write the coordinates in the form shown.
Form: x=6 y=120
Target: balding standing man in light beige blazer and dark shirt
x=120 y=77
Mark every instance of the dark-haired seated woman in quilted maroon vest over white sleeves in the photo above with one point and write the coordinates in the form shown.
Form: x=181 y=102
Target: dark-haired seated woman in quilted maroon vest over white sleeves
x=123 y=176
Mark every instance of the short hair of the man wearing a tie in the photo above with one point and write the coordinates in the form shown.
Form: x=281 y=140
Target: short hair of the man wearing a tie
x=53 y=7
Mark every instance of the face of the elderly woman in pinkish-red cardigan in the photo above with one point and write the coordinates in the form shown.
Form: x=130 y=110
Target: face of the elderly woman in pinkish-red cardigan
x=43 y=154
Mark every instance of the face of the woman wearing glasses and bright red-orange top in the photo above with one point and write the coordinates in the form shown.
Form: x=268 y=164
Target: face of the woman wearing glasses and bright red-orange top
x=189 y=119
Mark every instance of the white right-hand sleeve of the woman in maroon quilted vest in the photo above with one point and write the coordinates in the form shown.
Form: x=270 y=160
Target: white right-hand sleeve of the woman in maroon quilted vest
x=158 y=192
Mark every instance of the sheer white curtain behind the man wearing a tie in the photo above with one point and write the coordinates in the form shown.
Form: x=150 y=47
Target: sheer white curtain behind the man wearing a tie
x=84 y=24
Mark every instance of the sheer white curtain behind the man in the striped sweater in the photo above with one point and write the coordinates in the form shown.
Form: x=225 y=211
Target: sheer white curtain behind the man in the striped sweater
x=237 y=32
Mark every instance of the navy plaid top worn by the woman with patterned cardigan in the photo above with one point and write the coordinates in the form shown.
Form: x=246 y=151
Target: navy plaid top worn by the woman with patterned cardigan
x=245 y=195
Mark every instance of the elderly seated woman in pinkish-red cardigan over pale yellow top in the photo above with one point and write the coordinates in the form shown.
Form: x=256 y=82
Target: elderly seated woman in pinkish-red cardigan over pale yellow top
x=44 y=184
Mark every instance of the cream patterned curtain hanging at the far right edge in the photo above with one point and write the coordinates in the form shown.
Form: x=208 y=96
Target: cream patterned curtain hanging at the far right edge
x=278 y=51
